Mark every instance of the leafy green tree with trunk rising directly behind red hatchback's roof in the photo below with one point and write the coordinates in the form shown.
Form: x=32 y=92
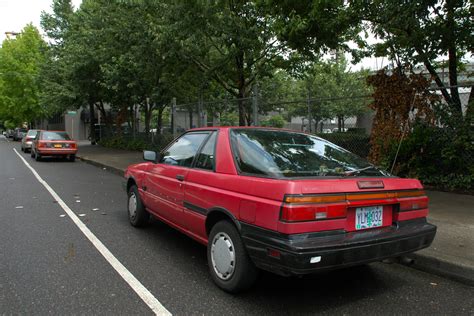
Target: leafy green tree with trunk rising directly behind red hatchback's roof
x=231 y=42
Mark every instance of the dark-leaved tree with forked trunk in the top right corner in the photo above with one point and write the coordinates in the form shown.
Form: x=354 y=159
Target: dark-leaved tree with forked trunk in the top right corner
x=421 y=32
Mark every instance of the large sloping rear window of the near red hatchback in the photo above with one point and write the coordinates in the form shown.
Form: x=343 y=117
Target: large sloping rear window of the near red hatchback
x=285 y=154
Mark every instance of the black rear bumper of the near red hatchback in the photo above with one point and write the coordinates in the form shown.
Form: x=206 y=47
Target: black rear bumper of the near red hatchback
x=336 y=249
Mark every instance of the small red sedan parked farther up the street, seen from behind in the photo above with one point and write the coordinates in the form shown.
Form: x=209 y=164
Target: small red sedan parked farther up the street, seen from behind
x=53 y=144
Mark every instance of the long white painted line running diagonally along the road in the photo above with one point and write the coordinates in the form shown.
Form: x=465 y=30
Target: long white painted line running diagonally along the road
x=142 y=291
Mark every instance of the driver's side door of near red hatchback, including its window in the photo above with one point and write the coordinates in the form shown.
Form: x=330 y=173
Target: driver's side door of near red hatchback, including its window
x=164 y=185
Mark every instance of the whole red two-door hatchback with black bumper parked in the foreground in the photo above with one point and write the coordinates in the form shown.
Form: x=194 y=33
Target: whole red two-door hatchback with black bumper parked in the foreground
x=287 y=202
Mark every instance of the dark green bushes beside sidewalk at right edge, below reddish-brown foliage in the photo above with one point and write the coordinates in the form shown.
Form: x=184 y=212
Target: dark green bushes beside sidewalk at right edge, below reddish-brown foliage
x=440 y=157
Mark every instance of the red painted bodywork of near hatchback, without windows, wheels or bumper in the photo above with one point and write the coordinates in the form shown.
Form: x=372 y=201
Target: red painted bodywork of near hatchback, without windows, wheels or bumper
x=188 y=202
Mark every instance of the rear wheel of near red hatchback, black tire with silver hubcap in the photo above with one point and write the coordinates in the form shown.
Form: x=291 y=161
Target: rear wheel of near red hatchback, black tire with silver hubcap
x=232 y=270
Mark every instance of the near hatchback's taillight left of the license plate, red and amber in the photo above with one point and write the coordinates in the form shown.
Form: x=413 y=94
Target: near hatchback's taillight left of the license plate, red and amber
x=310 y=208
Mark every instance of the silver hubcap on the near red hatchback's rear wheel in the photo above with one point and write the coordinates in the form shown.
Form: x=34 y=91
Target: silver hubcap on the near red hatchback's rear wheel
x=223 y=256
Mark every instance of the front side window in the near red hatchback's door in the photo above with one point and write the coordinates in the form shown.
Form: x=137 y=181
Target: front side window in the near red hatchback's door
x=182 y=152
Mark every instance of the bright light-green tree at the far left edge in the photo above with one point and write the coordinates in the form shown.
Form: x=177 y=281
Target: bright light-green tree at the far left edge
x=20 y=61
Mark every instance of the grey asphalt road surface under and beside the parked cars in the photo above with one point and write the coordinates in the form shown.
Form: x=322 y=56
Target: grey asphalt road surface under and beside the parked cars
x=47 y=265
